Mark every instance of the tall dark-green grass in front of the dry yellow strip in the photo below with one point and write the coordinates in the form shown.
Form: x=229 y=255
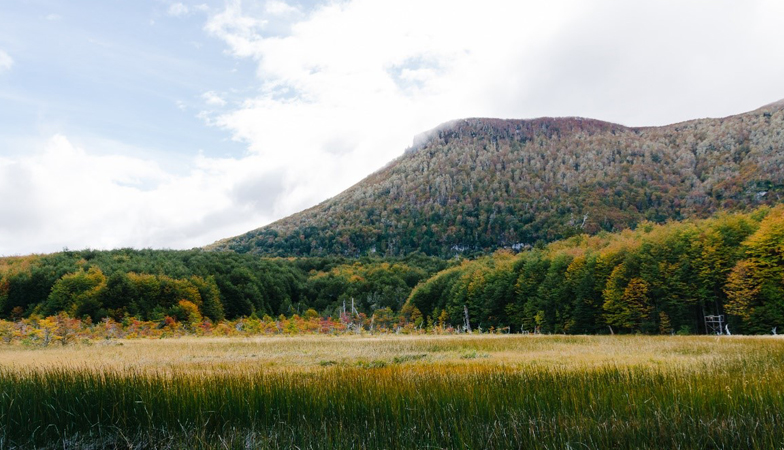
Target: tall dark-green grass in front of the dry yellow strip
x=728 y=403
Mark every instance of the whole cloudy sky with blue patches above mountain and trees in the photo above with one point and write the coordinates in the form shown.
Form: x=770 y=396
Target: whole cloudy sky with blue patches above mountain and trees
x=172 y=124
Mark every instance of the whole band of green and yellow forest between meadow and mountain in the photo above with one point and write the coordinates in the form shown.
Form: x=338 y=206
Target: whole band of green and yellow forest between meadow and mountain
x=657 y=278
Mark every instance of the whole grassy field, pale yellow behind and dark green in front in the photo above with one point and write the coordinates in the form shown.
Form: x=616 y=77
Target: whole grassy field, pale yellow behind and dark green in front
x=543 y=392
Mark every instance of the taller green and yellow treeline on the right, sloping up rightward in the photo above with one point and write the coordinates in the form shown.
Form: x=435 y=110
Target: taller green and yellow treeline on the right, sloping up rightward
x=656 y=279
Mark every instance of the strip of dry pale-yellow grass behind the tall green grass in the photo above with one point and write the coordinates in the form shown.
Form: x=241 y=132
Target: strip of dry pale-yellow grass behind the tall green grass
x=308 y=353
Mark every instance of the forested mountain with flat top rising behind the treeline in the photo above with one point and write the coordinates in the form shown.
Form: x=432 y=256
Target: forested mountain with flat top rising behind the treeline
x=475 y=185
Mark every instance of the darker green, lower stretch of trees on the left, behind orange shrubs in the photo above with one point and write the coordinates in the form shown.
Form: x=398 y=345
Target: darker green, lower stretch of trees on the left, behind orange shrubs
x=152 y=284
